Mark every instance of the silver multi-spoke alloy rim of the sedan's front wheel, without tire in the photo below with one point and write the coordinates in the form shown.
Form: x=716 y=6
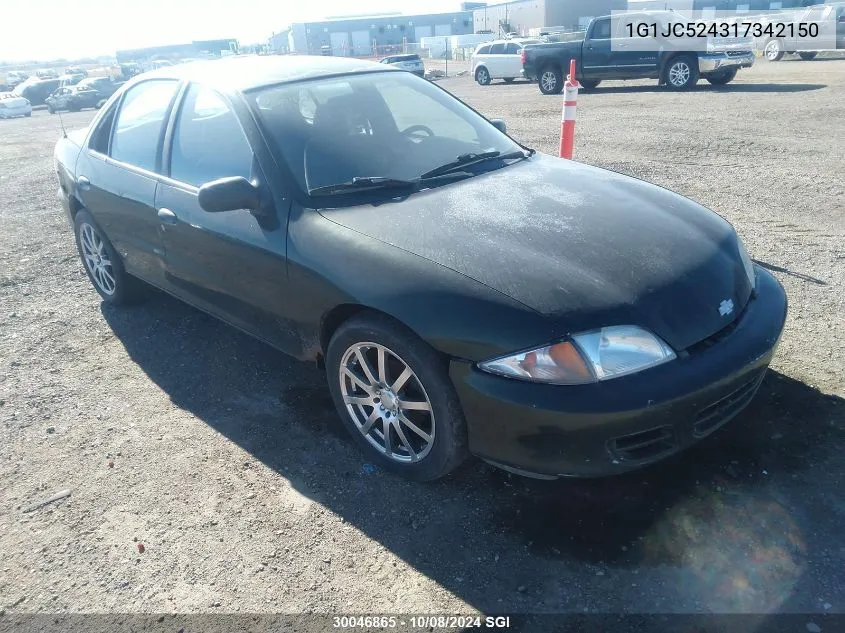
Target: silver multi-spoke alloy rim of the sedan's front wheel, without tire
x=387 y=402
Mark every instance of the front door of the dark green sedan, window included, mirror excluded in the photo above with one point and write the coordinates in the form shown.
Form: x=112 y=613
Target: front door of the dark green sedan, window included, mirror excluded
x=231 y=264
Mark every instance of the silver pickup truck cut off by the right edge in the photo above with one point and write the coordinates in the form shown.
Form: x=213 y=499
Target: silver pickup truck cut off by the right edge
x=830 y=21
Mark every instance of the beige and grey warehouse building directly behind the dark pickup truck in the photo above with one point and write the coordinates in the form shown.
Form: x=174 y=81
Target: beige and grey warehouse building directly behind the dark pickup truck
x=522 y=16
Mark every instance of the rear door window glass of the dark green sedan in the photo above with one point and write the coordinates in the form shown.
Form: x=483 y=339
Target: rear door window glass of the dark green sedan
x=140 y=122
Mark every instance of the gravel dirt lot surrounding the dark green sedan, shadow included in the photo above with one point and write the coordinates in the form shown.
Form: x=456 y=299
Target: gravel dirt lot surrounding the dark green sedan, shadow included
x=230 y=466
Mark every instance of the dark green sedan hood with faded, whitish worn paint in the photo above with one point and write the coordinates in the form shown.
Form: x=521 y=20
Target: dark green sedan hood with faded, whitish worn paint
x=583 y=246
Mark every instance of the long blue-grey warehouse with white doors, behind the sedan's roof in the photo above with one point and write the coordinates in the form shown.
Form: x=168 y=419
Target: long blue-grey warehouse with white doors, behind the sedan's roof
x=368 y=35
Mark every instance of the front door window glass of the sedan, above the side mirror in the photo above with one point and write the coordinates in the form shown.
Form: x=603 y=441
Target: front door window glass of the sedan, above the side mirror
x=208 y=141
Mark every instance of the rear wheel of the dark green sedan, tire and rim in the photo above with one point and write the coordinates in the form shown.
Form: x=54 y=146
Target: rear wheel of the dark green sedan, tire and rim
x=109 y=278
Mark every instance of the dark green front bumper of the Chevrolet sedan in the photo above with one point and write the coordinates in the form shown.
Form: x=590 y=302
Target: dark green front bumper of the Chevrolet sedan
x=622 y=424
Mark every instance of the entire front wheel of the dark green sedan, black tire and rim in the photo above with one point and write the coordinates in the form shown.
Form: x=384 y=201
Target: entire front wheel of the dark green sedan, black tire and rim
x=428 y=385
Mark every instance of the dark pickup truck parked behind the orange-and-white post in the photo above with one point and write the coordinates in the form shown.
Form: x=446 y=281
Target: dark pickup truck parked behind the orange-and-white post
x=607 y=52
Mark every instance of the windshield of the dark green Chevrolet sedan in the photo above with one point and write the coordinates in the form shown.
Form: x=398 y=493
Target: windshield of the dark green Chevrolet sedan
x=390 y=125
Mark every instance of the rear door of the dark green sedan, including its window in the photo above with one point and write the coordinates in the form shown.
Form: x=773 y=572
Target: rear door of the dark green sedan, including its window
x=118 y=172
